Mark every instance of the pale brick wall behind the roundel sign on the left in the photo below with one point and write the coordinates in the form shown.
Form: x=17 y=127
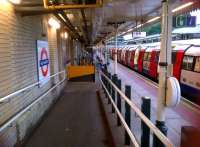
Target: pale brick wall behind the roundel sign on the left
x=18 y=69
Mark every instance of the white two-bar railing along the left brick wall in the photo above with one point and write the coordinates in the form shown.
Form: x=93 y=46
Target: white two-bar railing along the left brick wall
x=8 y=97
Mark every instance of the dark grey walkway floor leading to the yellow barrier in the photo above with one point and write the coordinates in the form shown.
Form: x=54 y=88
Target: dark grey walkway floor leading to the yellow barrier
x=75 y=121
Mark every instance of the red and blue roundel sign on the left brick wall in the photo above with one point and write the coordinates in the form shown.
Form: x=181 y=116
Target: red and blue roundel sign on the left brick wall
x=43 y=61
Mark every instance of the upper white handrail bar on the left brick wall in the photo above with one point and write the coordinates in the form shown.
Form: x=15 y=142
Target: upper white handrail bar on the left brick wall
x=7 y=98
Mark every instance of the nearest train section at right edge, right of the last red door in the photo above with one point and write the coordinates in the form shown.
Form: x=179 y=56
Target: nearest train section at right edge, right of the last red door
x=190 y=74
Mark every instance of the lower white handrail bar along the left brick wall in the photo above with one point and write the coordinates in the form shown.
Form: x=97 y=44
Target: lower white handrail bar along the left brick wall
x=9 y=122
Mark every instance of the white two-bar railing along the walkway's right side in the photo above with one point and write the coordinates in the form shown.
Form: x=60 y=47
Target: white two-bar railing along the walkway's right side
x=152 y=127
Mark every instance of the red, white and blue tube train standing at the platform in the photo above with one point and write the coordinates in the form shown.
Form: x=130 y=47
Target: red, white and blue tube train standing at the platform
x=144 y=58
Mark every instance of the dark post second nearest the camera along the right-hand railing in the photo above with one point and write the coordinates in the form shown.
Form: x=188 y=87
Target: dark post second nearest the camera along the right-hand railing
x=127 y=113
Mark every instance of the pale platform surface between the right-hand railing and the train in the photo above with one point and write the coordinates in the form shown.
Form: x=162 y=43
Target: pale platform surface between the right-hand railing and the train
x=182 y=115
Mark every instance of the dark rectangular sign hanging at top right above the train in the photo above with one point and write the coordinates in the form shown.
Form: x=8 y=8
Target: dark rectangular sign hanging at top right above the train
x=184 y=21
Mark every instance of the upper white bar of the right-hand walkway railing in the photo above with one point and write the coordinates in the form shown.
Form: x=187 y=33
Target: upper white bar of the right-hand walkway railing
x=155 y=130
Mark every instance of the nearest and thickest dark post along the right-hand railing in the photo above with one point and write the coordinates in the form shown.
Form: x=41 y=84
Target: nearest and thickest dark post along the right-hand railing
x=146 y=110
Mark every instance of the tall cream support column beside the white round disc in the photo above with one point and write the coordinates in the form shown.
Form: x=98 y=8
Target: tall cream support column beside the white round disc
x=165 y=60
